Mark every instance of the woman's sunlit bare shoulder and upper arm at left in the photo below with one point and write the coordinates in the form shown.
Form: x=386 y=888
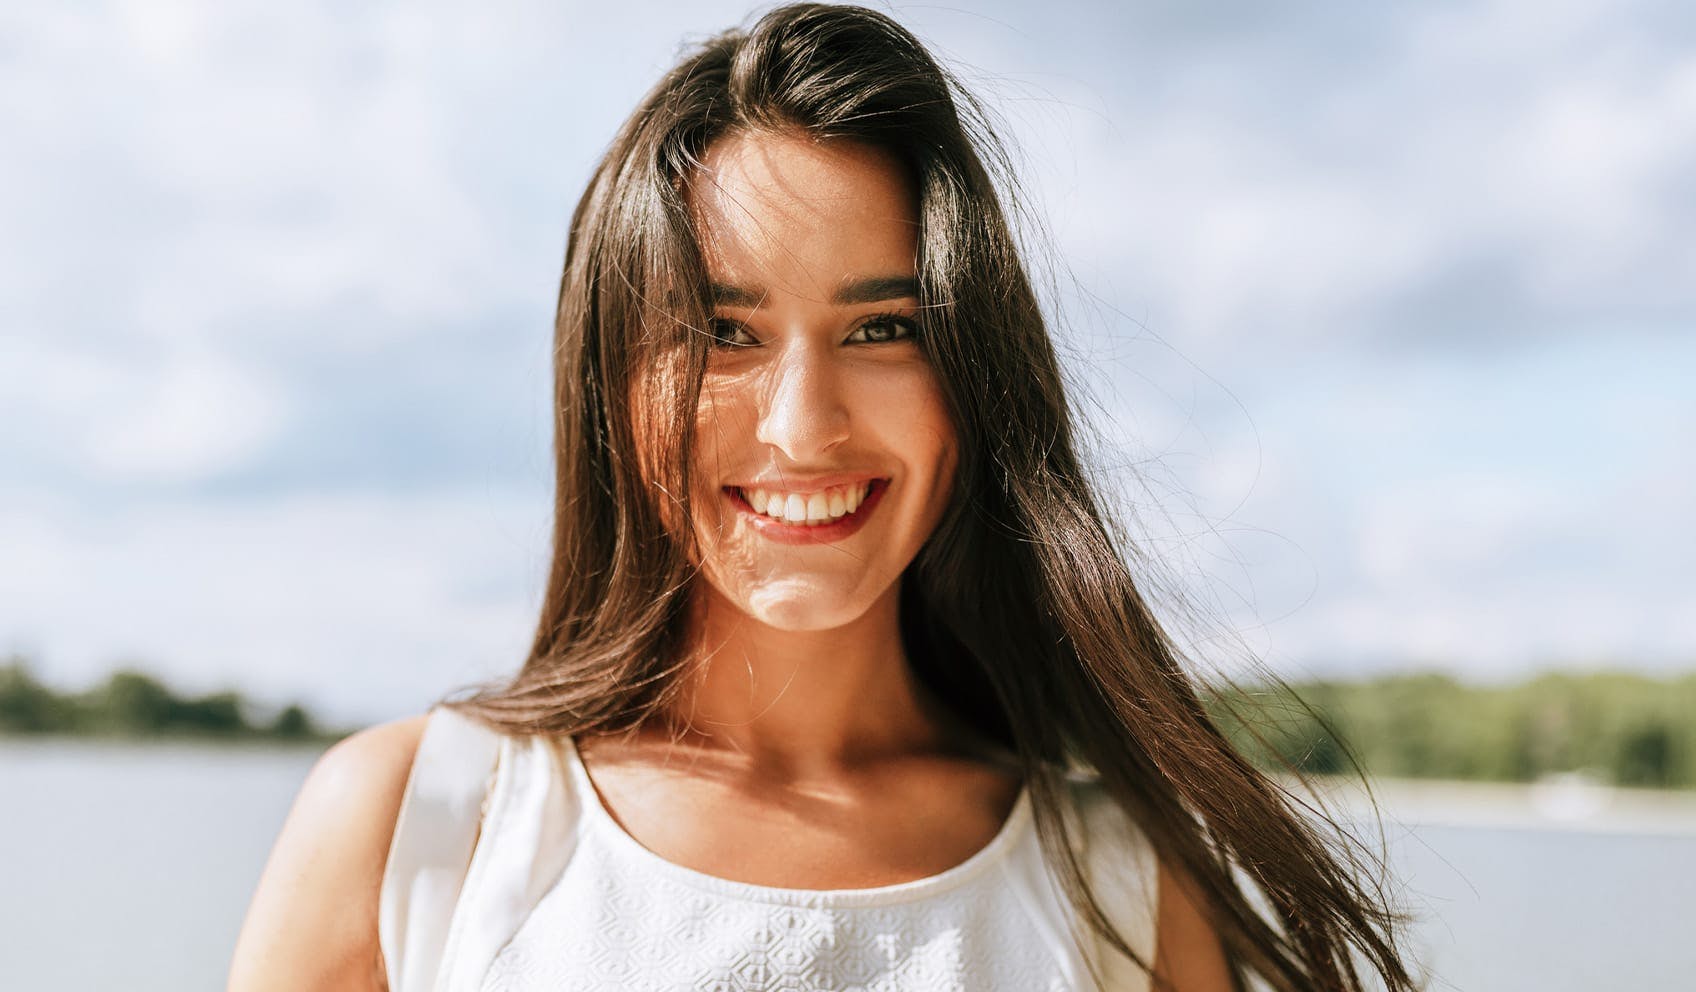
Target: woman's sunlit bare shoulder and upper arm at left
x=313 y=920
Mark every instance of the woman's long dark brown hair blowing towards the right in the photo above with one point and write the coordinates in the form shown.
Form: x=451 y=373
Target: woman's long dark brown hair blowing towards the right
x=1022 y=610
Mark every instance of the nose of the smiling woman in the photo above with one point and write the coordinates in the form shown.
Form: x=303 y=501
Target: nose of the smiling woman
x=805 y=415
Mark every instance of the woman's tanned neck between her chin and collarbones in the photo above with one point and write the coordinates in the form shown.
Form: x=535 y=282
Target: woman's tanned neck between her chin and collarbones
x=803 y=701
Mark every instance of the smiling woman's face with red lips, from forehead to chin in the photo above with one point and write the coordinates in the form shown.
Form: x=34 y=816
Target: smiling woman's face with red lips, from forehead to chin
x=825 y=450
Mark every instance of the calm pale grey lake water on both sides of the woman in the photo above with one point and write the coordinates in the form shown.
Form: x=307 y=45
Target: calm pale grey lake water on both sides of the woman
x=130 y=867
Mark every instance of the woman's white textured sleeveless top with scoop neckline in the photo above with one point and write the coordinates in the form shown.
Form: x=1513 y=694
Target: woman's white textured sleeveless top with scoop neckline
x=506 y=874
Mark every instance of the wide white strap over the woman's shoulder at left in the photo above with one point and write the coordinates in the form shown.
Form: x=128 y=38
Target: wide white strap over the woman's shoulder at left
x=432 y=850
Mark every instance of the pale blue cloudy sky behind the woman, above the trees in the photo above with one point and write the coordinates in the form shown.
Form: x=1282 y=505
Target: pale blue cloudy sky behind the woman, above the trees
x=1385 y=320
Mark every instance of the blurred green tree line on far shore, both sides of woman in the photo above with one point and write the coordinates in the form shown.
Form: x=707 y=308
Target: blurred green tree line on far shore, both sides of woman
x=1617 y=727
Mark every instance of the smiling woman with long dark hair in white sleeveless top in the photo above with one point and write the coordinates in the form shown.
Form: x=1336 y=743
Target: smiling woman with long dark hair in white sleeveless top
x=842 y=679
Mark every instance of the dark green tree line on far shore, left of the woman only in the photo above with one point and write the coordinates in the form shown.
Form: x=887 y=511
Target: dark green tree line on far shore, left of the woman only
x=135 y=705
